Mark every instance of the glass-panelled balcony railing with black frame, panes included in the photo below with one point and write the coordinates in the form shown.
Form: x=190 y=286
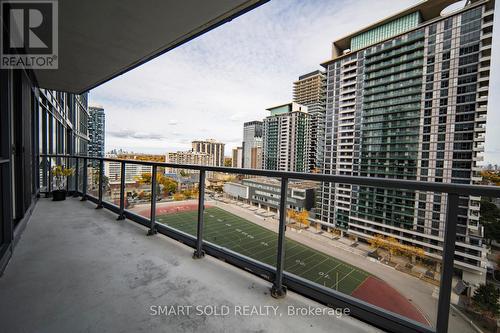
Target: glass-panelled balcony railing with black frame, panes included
x=265 y=222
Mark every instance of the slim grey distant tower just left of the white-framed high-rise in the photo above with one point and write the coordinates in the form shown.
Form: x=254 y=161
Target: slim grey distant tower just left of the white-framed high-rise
x=252 y=144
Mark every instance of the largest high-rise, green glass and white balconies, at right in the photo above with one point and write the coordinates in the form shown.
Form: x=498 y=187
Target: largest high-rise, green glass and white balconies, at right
x=407 y=99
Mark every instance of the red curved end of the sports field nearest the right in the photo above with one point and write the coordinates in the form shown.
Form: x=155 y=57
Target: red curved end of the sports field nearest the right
x=379 y=293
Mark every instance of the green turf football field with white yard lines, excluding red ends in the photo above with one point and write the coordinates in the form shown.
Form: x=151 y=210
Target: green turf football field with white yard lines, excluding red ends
x=242 y=236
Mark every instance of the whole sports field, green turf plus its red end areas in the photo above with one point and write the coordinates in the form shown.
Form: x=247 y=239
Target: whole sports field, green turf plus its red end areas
x=240 y=235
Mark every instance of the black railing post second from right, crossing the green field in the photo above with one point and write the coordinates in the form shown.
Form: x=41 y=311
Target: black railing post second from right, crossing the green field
x=278 y=290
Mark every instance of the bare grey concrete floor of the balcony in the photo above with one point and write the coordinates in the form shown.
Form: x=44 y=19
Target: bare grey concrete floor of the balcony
x=78 y=269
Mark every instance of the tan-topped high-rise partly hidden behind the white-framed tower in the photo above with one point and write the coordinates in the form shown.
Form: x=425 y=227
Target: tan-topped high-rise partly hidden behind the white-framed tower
x=310 y=90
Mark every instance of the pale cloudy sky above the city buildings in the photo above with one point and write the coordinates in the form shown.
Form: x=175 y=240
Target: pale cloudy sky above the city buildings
x=210 y=86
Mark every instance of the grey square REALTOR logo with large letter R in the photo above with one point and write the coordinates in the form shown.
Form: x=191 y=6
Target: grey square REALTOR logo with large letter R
x=29 y=37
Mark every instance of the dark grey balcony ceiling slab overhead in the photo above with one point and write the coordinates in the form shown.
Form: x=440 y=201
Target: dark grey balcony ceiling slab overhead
x=99 y=40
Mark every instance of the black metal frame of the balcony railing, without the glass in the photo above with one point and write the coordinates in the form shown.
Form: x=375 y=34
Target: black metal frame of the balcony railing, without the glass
x=281 y=280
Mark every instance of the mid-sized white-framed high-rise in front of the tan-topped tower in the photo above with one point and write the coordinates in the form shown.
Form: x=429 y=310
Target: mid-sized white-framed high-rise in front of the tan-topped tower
x=286 y=138
